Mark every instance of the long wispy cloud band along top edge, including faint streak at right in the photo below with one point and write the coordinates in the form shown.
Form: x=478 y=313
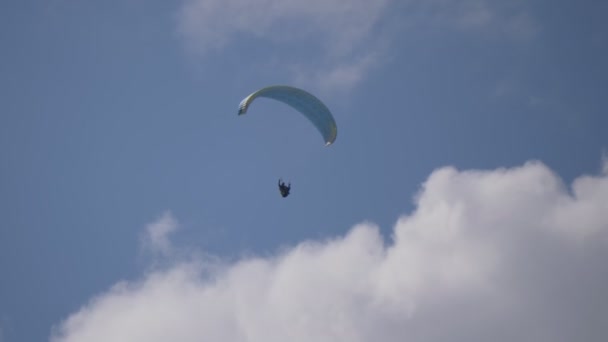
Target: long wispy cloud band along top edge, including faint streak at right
x=334 y=44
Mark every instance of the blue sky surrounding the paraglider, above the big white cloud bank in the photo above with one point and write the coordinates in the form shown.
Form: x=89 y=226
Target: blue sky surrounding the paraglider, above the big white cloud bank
x=113 y=113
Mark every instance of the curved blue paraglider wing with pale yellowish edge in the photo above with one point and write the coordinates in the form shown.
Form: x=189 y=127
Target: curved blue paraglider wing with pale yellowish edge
x=303 y=102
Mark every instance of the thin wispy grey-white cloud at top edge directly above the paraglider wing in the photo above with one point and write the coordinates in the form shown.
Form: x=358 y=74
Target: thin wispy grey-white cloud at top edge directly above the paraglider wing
x=331 y=37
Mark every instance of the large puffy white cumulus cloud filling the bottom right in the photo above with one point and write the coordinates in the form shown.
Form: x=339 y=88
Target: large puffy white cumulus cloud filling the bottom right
x=500 y=255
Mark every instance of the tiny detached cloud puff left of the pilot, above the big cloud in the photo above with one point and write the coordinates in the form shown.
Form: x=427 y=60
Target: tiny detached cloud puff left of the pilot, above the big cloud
x=156 y=235
